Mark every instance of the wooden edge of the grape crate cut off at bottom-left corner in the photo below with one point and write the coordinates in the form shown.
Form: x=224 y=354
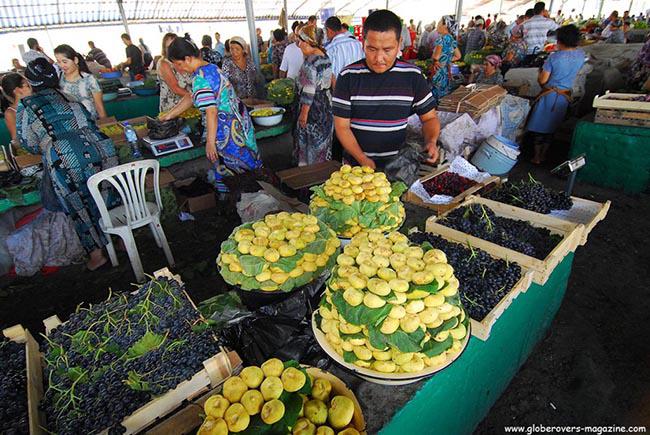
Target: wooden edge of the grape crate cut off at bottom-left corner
x=34 y=375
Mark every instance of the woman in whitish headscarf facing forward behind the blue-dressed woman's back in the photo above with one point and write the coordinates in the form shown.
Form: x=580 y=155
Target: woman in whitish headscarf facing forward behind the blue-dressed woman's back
x=239 y=68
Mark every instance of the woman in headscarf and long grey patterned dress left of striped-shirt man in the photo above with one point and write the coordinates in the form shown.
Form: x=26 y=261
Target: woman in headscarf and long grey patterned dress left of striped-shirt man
x=315 y=128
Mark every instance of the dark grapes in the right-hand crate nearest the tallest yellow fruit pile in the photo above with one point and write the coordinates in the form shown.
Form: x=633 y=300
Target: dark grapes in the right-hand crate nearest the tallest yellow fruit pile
x=484 y=280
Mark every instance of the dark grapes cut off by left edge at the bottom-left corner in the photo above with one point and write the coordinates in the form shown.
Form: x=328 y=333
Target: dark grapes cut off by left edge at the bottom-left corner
x=14 y=418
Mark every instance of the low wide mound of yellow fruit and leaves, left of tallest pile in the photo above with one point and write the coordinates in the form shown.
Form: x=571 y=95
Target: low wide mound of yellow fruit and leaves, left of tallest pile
x=280 y=252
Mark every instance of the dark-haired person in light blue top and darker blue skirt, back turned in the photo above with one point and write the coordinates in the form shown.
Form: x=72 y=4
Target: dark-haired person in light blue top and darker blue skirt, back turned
x=556 y=78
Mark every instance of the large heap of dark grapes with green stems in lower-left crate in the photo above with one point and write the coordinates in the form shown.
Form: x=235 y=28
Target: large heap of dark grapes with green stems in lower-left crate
x=108 y=360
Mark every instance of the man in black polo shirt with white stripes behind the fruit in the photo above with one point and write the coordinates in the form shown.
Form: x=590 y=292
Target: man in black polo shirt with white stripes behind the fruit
x=375 y=96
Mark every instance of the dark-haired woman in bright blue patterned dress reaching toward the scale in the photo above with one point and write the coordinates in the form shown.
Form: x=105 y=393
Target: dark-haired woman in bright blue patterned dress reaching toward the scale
x=229 y=135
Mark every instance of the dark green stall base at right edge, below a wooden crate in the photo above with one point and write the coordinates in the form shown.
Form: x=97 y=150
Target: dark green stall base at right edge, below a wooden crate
x=618 y=156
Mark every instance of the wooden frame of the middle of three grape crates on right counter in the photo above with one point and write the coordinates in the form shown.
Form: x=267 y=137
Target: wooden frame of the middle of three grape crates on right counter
x=571 y=235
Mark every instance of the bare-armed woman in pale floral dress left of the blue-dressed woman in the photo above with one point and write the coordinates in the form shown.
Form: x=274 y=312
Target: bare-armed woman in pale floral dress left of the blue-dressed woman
x=174 y=85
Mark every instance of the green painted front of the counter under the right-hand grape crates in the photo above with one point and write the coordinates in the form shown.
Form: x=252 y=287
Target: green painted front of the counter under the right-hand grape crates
x=458 y=398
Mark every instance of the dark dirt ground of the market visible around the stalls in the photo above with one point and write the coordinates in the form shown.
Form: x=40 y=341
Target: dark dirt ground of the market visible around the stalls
x=593 y=368
